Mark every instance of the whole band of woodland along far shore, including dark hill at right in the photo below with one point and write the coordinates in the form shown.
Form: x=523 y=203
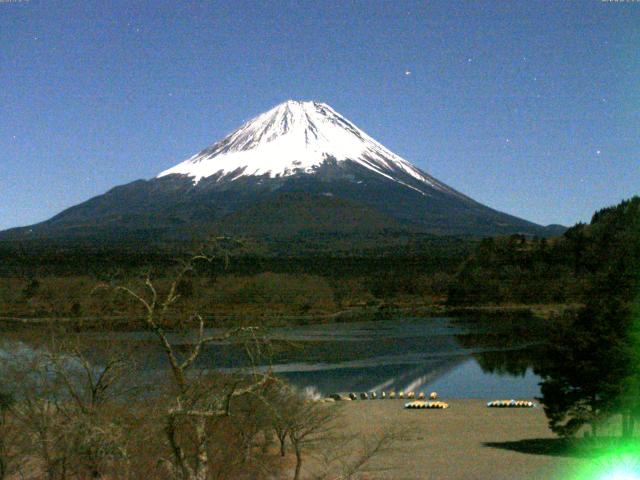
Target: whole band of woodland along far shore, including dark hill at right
x=53 y=279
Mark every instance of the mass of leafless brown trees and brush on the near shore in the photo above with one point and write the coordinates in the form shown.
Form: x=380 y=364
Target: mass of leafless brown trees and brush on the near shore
x=76 y=407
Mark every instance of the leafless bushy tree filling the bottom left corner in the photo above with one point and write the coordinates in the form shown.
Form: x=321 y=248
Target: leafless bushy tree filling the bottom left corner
x=64 y=405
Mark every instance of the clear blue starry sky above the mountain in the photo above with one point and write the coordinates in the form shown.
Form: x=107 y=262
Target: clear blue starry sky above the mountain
x=531 y=107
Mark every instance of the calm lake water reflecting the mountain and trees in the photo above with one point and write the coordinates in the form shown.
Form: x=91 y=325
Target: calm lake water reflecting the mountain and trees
x=457 y=358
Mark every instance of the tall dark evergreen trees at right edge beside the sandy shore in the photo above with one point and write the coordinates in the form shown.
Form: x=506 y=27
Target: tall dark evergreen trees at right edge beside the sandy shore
x=591 y=367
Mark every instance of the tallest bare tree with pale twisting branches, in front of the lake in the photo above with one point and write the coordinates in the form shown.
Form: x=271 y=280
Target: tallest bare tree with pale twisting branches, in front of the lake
x=194 y=405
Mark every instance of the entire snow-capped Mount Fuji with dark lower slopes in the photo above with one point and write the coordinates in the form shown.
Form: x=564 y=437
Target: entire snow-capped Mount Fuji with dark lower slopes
x=299 y=169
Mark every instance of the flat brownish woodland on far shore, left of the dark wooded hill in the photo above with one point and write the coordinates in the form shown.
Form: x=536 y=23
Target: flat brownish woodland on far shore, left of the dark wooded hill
x=60 y=280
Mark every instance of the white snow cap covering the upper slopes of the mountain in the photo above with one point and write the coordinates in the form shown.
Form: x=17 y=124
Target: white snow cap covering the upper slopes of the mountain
x=297 y=137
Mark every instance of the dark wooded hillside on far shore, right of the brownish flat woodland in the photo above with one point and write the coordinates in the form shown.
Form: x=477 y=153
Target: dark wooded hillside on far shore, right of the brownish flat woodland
x=520 y=270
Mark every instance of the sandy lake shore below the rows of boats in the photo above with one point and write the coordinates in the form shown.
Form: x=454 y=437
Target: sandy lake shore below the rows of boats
x=466 y=441
